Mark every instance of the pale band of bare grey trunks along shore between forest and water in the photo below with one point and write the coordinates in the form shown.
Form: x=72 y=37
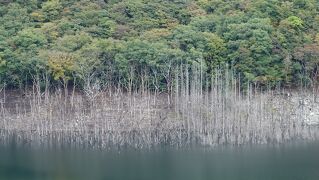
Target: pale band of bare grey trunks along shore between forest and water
x=147 y=120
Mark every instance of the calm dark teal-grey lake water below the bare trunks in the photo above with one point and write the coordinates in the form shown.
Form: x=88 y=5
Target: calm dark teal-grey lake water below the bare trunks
x=298 y=161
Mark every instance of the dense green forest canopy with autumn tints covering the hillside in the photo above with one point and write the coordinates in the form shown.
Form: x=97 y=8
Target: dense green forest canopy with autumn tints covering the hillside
x=136 y=42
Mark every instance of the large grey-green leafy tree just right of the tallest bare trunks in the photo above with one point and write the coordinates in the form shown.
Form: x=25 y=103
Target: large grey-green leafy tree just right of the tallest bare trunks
x=250 y=51
